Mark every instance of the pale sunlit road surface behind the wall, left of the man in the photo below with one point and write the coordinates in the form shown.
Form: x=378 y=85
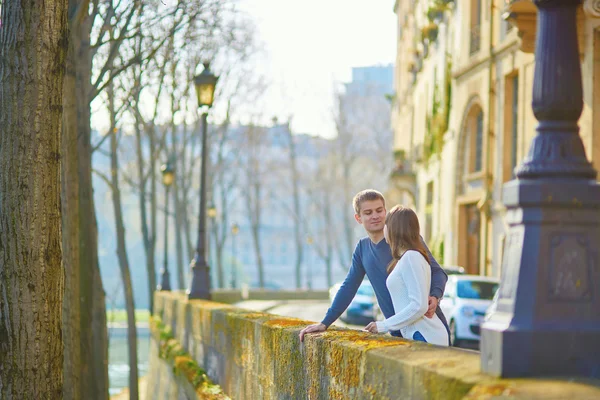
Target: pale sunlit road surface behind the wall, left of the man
x=311 y=310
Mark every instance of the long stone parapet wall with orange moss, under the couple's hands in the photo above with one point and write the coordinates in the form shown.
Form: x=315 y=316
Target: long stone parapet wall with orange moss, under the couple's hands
x=259 y=356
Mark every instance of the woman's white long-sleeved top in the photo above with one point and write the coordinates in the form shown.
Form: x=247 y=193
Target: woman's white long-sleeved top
x=409 y=285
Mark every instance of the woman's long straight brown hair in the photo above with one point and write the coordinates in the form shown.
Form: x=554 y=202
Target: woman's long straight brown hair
x=403 y=233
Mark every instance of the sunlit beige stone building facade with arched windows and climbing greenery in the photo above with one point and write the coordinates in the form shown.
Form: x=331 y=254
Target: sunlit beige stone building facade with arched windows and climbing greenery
x=463 y=119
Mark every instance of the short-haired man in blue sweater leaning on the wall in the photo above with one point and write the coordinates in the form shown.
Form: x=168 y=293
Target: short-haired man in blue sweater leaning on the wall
x=371 y=257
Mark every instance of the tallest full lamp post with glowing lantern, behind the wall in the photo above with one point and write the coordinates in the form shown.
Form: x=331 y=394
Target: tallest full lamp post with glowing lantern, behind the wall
x=200 y=284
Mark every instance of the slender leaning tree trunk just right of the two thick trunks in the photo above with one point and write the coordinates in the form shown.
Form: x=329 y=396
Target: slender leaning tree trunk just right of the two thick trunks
x=122 y=256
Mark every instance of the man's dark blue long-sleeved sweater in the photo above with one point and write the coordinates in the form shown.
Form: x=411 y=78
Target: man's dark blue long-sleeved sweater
x=372 y=259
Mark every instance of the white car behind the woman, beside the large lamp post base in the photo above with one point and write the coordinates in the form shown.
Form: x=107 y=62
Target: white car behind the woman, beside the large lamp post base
x=465 y=301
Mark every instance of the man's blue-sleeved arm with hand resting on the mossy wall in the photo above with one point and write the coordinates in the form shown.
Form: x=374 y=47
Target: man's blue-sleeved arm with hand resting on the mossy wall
x=343 y=297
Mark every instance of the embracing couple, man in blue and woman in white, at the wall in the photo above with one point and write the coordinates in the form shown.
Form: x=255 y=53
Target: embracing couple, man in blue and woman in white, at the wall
x=407 y=280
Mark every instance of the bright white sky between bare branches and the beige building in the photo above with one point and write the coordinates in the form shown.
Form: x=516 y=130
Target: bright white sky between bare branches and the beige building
x=311 y=46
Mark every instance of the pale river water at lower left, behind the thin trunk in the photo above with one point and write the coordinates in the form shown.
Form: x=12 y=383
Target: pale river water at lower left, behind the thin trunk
x=118 y=359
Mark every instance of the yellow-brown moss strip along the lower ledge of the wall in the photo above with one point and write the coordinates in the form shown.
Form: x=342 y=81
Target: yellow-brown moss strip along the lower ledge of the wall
x=171 y=351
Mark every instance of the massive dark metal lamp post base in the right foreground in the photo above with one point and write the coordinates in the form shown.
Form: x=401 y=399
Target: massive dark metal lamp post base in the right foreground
x=547 y=318
